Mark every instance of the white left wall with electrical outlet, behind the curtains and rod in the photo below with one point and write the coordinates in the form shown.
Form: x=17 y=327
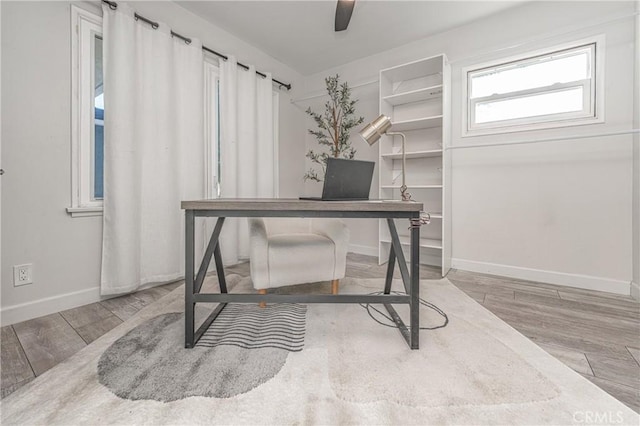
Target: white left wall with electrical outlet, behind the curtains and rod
x=36 y=146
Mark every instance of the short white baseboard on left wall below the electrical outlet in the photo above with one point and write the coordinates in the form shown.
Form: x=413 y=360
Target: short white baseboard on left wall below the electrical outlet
x=49 y=305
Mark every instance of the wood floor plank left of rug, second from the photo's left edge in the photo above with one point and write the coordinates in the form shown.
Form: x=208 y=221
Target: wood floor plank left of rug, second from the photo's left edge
x=47 y=341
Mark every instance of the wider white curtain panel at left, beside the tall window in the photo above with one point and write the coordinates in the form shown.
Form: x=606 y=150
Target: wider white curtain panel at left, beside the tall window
x=154 y=149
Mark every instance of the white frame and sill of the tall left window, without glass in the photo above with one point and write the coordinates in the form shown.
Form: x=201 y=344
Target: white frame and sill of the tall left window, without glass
x=84 y=27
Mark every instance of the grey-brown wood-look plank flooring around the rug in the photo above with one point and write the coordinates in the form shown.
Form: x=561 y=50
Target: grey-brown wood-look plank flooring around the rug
x=595 y=333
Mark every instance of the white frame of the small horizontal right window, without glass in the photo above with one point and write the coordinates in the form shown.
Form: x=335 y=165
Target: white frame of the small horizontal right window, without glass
x=593 y=88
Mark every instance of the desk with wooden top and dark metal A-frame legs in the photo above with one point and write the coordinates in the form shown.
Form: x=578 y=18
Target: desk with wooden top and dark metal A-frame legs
x=373 y=209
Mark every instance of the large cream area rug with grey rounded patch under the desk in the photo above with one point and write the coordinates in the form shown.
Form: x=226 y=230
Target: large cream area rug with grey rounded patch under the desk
x=314 y=364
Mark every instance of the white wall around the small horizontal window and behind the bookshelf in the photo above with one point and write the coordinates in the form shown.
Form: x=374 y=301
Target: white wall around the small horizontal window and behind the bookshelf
x=556 y=212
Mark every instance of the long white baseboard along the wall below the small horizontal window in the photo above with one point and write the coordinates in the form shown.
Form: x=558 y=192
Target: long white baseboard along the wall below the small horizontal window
x=551 y=277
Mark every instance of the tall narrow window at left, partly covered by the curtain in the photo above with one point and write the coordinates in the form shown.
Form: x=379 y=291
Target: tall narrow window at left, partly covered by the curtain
x=87 y=115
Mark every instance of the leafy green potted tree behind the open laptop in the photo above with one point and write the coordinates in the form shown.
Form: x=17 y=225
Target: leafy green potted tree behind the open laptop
x=333 y=127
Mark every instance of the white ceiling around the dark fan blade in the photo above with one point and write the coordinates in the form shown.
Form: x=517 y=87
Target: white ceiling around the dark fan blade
x=300 y=33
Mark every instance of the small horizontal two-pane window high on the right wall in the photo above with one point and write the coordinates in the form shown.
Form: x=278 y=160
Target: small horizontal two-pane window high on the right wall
x=551 y=89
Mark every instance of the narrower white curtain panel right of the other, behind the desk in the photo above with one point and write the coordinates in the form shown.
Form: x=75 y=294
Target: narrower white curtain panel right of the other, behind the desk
x=247 y=148
